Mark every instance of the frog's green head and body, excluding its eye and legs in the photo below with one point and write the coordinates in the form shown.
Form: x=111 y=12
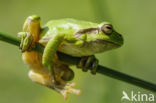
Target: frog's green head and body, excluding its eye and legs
x=77 y=41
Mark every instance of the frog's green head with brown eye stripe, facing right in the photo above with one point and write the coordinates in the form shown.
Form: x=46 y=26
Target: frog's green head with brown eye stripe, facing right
x=101 y=38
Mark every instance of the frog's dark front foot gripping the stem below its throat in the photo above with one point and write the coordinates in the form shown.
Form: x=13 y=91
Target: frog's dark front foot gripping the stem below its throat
x=88 y=62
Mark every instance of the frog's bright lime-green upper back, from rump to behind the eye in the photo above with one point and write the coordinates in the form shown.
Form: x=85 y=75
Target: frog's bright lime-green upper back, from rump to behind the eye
x=69 y=26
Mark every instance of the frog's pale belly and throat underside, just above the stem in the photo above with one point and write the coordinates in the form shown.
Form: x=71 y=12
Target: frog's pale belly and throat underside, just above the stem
x=84 y=50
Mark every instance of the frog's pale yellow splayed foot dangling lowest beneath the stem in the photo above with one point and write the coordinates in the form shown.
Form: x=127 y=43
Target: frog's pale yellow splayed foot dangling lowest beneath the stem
x=68 y=88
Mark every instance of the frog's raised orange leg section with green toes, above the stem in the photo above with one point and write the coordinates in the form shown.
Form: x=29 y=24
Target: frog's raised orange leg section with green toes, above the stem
x=30 y=34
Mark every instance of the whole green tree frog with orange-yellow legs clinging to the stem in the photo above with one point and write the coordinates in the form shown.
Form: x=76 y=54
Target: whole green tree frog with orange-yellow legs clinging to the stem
x=73 y=37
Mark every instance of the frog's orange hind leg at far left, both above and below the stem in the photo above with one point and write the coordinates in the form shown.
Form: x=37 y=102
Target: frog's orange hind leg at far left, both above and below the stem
x=30 y=35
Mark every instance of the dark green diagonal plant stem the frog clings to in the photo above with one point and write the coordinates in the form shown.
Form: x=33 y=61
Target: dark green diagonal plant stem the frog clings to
x=75 y=60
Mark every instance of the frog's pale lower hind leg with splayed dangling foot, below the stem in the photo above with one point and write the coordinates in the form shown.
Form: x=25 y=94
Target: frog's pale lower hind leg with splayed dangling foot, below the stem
x=46 y=80
